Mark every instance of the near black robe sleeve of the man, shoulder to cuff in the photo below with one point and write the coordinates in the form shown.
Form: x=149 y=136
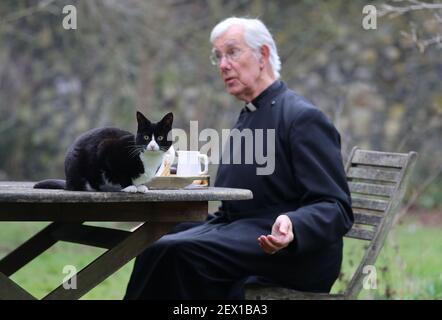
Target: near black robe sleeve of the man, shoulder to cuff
x=325 y=214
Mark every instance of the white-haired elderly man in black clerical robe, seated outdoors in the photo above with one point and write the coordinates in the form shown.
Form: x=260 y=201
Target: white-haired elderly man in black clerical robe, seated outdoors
x=290 y=234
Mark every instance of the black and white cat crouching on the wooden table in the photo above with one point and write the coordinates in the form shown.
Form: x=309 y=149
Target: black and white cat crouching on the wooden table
x=110 y=159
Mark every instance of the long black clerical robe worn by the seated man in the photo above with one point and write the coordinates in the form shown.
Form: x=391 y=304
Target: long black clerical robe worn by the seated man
x=304 y=179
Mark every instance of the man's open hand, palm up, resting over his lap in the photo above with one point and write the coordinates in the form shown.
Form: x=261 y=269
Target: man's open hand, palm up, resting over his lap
x=282 y=235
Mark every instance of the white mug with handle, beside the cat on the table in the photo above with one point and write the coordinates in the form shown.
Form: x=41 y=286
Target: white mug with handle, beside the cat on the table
x=189 y=164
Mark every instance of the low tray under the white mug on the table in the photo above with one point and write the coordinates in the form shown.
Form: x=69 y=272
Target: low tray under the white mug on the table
x=177 y=182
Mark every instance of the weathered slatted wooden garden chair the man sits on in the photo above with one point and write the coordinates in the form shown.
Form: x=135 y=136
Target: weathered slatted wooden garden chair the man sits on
x=377 y=182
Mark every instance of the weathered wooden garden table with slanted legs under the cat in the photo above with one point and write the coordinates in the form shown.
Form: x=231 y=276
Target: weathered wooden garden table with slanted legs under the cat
x=157 y=211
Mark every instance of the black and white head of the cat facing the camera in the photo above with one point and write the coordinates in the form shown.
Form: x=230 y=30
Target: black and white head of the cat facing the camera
x=153 y=136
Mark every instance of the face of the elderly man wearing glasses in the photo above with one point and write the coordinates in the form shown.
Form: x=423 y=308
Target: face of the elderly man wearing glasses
x=239 y=66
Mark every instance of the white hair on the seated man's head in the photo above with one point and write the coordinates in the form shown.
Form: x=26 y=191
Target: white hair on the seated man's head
x=256 y=35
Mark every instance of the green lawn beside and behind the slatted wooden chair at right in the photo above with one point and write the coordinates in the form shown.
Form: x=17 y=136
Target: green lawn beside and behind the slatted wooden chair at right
x=408 y=267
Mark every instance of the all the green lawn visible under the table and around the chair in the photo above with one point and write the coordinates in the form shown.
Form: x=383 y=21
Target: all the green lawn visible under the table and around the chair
x=409 y=266
